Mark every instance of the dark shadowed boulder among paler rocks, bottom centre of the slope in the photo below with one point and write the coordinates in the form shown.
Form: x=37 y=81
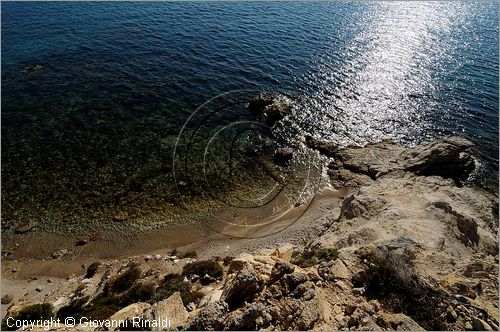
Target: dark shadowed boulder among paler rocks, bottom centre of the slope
x=243 y=288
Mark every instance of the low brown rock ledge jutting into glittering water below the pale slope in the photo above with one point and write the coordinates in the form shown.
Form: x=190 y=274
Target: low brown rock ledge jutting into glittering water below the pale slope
x=449 y=157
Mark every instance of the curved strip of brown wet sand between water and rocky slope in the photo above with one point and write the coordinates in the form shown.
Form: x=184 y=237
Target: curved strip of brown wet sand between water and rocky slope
x=294 y=225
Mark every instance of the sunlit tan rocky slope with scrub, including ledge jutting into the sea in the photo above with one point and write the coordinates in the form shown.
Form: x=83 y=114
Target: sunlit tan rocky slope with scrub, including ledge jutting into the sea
x=407 y=246
